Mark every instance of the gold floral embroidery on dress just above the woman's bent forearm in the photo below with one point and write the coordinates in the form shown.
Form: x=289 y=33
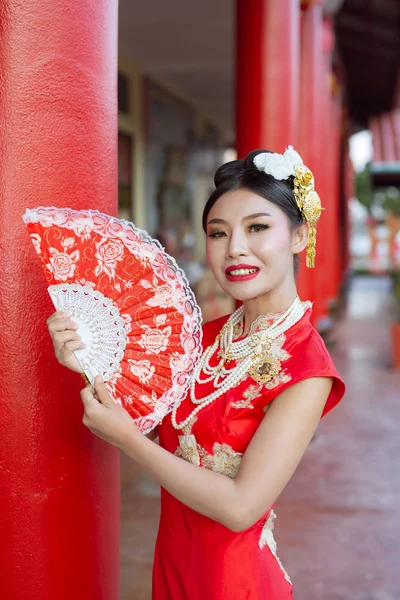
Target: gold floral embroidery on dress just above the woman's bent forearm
x=223 y=460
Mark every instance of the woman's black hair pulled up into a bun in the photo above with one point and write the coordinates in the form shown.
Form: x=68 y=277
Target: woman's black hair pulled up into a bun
x=243 y=174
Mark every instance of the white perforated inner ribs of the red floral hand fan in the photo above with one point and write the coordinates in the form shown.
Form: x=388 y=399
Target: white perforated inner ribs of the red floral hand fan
x=101 y=328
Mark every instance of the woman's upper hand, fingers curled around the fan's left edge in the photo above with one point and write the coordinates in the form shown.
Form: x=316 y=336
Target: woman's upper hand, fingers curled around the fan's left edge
x=65 y=340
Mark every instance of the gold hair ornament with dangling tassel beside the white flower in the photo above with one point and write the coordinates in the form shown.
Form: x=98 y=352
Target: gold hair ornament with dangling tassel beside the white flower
x=309 y=204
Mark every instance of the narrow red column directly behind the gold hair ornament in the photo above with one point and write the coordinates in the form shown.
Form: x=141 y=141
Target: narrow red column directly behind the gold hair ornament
x=311 y=89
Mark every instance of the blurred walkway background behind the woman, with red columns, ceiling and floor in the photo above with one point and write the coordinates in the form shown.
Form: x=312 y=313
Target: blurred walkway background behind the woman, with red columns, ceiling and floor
x=200 y=83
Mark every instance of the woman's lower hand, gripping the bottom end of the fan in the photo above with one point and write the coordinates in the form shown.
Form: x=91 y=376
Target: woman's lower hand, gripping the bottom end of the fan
x=104 y=417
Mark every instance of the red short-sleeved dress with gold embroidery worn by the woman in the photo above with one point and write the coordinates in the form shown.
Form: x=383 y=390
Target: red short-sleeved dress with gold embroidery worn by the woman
x=197 y=558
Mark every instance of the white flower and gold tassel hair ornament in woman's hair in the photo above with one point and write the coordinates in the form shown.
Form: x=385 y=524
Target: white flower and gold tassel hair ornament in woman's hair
x=283 y=166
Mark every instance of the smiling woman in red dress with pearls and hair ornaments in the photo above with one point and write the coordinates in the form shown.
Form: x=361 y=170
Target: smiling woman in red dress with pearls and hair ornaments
x=259 y=390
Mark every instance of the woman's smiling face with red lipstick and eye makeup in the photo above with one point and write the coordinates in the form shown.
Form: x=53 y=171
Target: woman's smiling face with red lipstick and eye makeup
x=250 y=245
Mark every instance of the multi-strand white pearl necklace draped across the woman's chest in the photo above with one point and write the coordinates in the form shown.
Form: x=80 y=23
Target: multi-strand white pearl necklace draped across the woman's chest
x=249 y=353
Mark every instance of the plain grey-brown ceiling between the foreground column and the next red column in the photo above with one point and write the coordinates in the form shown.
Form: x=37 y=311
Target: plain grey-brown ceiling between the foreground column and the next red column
x=188 y=46
